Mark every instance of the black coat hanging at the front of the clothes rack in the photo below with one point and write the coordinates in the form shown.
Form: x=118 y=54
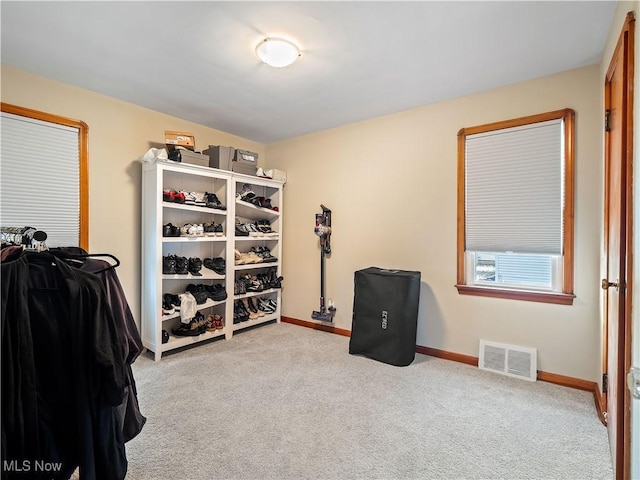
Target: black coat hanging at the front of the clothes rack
x=63 y=372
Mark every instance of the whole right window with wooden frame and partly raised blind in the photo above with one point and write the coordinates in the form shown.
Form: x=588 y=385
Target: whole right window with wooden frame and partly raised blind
x=515 y=208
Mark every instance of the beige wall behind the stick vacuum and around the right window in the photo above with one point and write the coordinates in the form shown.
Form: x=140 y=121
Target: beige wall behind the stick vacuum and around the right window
x=391 y=183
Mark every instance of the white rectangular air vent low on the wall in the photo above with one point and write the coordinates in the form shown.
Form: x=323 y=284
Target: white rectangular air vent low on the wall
x=511 y=360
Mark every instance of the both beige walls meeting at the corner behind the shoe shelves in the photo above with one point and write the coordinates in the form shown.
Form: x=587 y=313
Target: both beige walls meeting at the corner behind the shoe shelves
x=391 y=183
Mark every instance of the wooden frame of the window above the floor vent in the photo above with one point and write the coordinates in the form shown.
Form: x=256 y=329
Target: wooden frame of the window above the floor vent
x=566 y=296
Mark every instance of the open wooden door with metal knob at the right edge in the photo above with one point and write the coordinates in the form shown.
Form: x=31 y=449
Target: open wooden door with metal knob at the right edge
x=618 y=216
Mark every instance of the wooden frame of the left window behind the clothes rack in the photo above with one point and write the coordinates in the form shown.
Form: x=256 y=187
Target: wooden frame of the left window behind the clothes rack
x=83 y=135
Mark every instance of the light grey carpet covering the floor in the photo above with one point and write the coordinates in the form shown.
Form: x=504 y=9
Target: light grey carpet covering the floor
x=286 y=402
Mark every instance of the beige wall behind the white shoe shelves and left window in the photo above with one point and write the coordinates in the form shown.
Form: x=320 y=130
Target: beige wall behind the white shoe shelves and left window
x=119 y=133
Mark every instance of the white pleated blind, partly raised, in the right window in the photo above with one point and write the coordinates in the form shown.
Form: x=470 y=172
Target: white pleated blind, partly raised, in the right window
x=514 y=189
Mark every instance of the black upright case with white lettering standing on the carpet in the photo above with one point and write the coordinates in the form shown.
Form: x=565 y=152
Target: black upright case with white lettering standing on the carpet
x=385 y=315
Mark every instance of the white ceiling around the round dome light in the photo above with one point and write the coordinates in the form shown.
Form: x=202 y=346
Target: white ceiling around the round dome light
x=196 y=60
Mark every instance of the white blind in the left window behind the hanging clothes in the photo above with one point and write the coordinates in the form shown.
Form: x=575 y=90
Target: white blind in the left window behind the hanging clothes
x=39 y=178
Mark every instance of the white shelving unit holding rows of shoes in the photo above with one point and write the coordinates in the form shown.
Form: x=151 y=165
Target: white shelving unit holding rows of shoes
x=156 y=213
